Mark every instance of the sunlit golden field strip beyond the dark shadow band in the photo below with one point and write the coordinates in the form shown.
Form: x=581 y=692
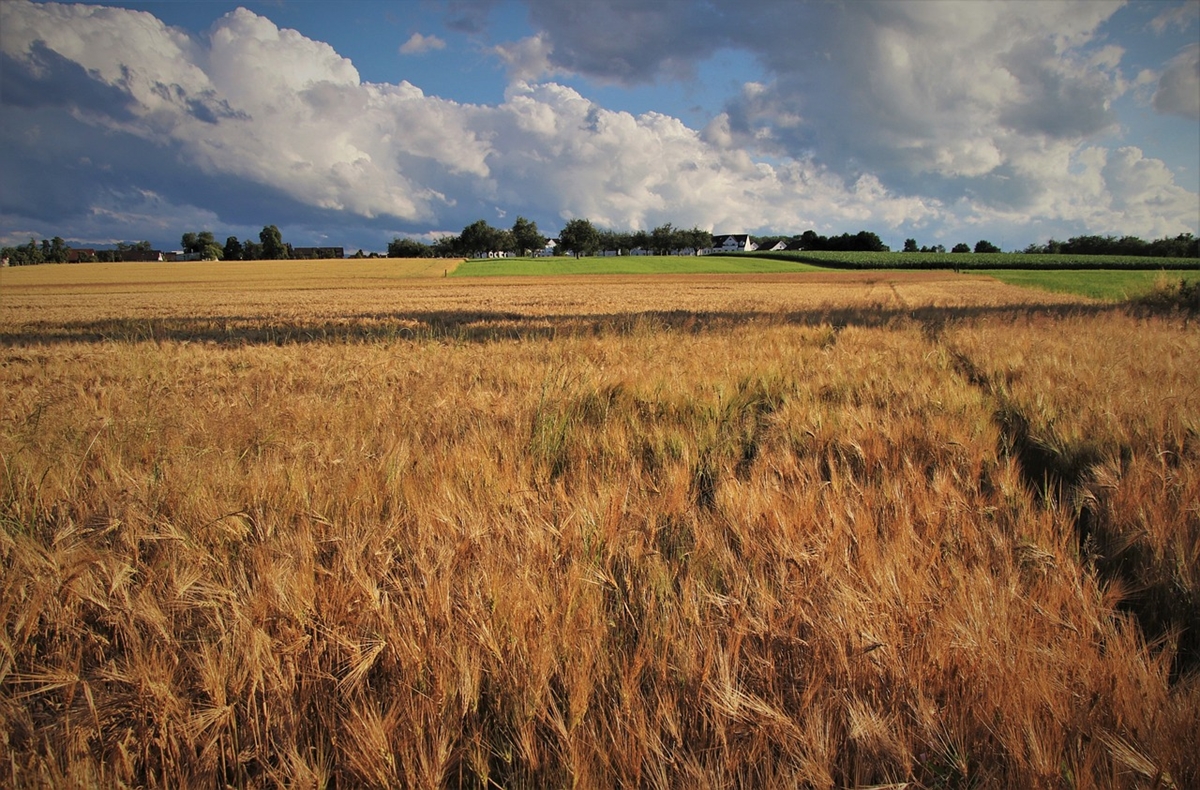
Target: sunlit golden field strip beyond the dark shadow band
x=34 y=302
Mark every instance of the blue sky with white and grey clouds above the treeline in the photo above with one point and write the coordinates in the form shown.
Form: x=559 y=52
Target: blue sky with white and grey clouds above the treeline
x=355 y=123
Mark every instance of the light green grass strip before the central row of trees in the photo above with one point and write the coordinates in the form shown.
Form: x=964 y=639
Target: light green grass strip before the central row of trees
x=627 y=266
